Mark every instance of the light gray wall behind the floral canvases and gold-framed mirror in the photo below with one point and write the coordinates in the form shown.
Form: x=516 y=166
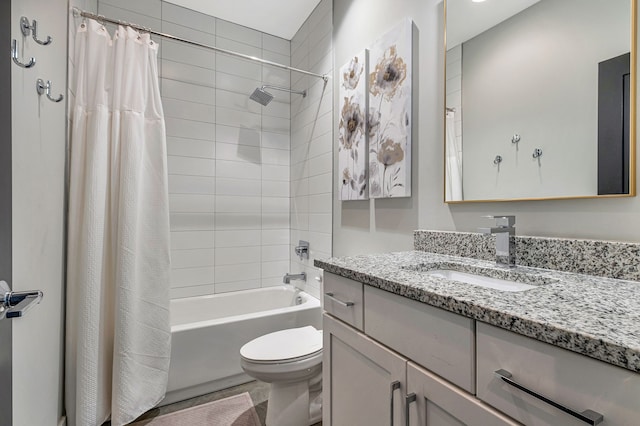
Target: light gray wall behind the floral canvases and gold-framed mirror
x=385 y=225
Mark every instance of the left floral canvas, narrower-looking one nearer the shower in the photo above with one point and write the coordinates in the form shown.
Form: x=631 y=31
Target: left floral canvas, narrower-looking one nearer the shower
x=352 y=147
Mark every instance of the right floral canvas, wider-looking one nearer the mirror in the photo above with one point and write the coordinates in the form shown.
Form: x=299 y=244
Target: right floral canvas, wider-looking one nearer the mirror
x=389 y=116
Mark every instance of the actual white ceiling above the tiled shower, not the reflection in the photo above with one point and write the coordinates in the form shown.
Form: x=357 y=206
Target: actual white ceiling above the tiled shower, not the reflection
x=281 y=18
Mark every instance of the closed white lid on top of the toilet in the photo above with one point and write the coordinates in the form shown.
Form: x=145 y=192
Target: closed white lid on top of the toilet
x=284 y=344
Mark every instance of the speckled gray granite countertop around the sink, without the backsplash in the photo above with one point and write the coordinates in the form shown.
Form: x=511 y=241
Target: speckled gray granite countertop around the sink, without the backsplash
x=594 y=316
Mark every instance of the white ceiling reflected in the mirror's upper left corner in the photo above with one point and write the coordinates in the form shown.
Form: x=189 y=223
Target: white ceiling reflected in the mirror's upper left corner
x=467 y=19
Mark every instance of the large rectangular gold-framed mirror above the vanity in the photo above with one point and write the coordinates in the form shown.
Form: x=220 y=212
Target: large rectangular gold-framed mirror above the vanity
x=539 y=99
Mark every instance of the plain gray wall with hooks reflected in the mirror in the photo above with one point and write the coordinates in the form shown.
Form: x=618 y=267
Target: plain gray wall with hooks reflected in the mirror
x=536 y=74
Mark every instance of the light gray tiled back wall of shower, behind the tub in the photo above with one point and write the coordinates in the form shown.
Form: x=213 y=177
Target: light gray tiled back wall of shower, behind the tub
x=229 y=157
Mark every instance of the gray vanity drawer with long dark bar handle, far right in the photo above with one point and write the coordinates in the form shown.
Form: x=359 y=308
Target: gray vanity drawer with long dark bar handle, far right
x=567 y=378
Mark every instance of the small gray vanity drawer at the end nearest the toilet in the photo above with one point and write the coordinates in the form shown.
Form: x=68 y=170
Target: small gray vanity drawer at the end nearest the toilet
x=343 y=299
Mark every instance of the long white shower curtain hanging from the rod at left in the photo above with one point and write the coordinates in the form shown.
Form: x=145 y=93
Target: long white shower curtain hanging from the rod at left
x=118 y=333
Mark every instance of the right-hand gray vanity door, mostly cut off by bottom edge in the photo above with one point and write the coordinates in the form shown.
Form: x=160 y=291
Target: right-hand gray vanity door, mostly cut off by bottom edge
x=439 y=403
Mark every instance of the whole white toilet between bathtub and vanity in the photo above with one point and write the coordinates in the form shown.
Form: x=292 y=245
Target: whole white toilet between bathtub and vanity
x=291 y=362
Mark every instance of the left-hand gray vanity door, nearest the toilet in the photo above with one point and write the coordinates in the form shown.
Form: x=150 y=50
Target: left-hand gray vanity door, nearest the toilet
x=358 y=374
